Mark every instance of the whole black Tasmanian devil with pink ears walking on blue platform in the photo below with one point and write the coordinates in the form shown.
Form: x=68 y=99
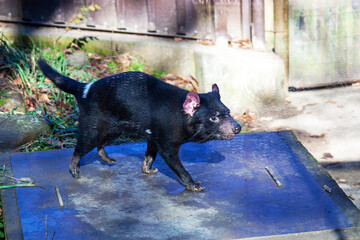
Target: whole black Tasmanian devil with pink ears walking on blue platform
x=141 y=105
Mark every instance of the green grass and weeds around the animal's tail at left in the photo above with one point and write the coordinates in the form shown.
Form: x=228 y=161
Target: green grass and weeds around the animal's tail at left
x=60 y=108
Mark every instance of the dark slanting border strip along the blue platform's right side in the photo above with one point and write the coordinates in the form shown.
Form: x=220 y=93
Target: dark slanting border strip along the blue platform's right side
x=322 y=177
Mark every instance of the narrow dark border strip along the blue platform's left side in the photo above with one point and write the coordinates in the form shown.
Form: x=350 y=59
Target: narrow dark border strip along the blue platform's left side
x=10 y=207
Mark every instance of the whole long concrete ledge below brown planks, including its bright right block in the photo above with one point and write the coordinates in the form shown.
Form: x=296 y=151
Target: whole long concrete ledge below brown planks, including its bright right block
x=247 y=78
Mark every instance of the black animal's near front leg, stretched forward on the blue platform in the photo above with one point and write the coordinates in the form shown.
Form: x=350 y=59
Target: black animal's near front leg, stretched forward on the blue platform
x=171 y=157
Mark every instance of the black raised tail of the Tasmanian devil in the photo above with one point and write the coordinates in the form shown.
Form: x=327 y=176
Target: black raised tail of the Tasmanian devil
x=64 y=83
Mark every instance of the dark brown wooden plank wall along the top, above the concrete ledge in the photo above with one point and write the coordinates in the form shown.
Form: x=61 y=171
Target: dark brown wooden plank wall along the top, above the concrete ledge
x=203 y=19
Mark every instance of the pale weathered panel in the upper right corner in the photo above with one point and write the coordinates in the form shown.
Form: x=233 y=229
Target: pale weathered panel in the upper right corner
x=324 y=41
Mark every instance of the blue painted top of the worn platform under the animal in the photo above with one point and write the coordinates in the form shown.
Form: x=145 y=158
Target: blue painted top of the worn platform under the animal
x=119 y=202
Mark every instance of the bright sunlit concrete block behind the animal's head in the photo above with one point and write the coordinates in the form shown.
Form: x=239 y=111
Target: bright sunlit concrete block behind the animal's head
x=247 y=79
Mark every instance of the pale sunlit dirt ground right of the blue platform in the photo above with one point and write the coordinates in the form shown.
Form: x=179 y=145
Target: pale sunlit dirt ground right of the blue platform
x=327 y=124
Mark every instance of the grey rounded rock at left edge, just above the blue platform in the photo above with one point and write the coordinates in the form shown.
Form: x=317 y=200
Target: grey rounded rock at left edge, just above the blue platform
x=16 y=130
